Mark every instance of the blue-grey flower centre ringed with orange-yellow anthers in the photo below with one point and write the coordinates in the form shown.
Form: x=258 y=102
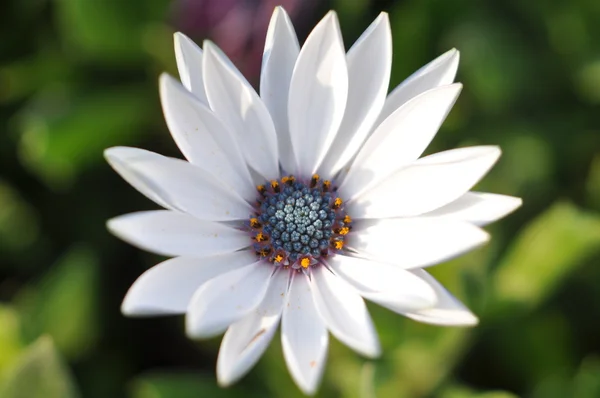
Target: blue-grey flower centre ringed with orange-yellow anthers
x=297 y=223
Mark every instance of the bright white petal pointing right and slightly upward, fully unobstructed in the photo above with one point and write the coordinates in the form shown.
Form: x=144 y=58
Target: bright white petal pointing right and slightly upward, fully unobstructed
x=429 y=183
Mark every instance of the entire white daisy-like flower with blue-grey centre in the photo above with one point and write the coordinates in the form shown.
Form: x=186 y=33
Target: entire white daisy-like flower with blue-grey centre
x=296 y=204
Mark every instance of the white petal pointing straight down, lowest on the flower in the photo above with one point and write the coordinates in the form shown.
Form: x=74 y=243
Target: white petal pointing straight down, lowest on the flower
x=304 y=336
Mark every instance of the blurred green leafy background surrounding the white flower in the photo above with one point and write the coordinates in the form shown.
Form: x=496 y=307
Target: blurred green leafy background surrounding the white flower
x=77 y=76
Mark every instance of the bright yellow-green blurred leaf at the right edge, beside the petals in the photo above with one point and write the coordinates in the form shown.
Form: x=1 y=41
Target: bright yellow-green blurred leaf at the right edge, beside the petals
x=544 y=254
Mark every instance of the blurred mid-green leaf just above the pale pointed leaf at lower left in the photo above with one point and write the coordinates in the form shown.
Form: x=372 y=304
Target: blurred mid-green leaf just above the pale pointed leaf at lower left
x=64 y=304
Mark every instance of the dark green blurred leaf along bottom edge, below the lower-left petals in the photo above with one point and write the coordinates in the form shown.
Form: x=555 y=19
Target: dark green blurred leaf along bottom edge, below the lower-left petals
x=182 y=386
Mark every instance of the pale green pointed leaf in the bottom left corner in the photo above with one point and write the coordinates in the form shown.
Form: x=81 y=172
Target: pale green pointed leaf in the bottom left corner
x=39 y=373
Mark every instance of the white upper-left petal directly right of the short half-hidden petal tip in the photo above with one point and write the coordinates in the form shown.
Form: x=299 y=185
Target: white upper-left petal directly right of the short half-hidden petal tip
x=234 y=100
